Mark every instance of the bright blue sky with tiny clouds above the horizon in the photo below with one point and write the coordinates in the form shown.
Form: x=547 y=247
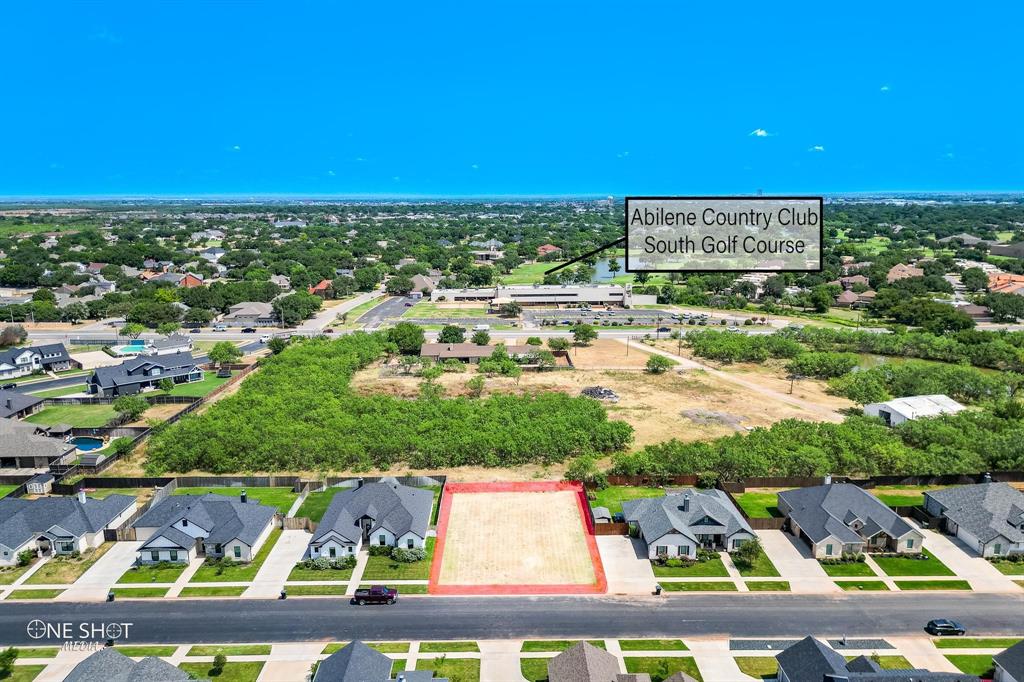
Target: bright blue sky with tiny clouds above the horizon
x=509 y=99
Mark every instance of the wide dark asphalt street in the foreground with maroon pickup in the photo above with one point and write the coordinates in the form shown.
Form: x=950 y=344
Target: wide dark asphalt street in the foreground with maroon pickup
x=502 y=618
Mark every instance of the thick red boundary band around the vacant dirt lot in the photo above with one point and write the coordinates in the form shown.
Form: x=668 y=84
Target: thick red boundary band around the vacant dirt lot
x=601 y=586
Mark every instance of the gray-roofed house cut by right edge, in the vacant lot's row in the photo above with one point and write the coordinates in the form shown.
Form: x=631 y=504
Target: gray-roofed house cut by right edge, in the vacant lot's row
x=989 y=518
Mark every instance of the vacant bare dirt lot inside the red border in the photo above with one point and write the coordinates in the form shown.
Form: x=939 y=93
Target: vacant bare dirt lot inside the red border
x=516 y=539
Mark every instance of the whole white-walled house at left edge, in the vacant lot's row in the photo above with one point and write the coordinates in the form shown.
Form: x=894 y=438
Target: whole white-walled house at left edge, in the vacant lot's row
x=59 y=525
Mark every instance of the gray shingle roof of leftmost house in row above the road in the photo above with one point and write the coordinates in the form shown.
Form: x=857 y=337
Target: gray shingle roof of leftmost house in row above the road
x=24 y=520
